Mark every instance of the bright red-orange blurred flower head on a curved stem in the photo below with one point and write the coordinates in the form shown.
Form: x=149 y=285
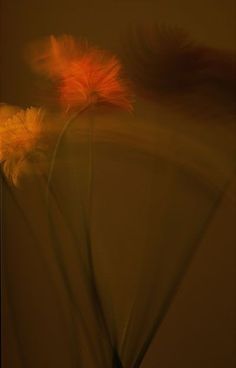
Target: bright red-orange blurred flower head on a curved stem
x=86 y=76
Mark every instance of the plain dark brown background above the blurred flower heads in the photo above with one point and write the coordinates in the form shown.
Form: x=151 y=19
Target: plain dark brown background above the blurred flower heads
x=102 y=22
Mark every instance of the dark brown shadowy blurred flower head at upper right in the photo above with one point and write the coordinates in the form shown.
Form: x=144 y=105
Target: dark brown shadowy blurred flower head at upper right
x=166 y=65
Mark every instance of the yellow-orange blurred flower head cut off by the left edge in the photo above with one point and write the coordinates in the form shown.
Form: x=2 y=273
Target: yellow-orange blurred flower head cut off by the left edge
x=20 y=136
